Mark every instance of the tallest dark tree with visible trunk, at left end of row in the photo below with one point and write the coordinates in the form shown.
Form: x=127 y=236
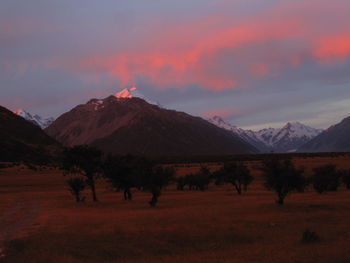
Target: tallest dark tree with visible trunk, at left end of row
x=85 y=161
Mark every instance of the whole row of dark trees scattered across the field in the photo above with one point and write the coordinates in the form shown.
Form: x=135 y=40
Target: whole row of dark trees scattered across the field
x=85 y=164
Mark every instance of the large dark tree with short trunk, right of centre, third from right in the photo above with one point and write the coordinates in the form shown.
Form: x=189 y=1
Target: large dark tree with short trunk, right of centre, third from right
x=282 y=177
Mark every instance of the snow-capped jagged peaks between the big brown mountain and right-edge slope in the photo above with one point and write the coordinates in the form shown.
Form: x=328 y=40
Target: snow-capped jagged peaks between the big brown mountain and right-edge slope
x=286 y=139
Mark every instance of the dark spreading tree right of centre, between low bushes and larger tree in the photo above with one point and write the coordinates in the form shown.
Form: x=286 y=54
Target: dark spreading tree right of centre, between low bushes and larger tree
x=236 y=174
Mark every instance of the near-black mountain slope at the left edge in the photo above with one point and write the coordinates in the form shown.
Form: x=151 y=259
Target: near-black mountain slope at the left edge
x=21 y=140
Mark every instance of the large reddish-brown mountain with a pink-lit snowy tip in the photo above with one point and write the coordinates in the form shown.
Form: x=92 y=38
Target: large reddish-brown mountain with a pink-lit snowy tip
x=124 y=124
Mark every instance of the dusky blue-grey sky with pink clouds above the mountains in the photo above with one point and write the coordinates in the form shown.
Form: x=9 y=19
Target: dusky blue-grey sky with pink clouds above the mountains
x=256 y=63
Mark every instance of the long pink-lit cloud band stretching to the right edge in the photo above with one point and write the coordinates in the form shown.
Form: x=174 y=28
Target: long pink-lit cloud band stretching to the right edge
x=218 y=52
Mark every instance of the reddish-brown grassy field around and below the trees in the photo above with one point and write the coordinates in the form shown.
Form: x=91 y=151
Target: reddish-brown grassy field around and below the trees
x=40 y=222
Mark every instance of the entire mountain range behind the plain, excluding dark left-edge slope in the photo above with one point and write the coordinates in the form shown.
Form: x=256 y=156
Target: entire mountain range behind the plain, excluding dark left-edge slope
x=129 y=123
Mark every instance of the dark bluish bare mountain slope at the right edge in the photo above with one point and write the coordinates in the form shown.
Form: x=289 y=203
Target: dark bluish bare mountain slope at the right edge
x=334 y=139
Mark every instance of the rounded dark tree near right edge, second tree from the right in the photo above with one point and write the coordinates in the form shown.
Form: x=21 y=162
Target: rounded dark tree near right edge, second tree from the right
x=326 y=178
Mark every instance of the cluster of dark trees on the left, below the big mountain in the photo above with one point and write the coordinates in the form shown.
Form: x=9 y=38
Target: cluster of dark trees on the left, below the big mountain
x=86 y=164
